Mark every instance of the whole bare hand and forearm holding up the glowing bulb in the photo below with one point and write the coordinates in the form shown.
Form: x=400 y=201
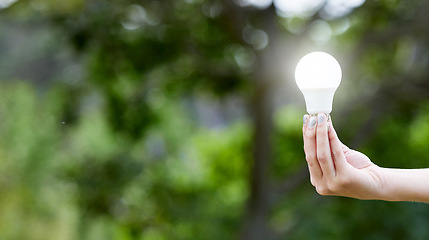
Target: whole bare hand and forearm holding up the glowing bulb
x=337 y=170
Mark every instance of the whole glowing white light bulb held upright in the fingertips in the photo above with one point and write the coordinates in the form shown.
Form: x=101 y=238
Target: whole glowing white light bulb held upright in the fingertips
x=318 y=76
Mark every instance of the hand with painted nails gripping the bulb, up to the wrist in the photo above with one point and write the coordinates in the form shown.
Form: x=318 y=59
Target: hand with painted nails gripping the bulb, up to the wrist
x=334 y=168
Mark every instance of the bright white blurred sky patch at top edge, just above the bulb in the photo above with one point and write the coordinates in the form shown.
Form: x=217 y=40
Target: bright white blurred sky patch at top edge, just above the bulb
x=300 y=8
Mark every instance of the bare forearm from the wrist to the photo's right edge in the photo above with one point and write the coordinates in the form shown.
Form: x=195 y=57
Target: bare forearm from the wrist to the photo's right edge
x=405 y=184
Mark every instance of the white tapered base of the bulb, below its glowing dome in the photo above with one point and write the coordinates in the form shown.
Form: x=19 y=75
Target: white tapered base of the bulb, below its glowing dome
x=319 y=100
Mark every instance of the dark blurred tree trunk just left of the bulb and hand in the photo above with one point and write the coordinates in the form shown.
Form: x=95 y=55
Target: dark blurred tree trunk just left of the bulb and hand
x=258 y=205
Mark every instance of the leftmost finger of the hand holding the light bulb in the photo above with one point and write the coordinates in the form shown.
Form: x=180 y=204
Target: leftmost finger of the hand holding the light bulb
x=310 y=149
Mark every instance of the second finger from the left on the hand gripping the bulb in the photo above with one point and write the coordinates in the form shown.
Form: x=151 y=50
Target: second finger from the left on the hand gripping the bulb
x=323 y=147
